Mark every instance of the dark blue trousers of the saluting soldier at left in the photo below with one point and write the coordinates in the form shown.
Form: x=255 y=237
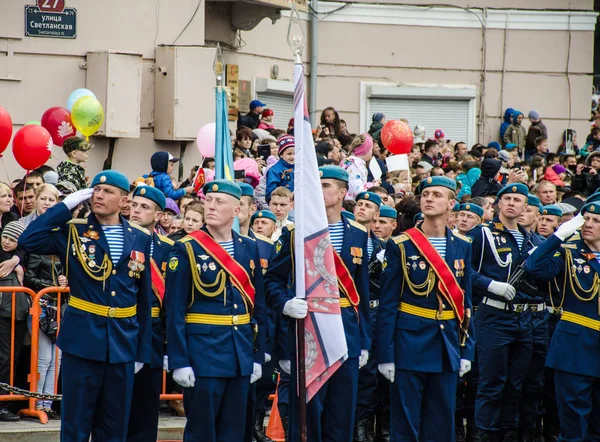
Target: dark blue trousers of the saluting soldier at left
x=96 y=399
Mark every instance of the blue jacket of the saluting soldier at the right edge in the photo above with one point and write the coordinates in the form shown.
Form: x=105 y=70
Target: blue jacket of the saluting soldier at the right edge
x=574 y=348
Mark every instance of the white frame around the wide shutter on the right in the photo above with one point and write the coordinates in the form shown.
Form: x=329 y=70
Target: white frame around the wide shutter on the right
x=420 y=91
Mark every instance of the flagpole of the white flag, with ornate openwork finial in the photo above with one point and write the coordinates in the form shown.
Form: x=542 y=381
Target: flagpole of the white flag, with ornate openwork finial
x=296 y=41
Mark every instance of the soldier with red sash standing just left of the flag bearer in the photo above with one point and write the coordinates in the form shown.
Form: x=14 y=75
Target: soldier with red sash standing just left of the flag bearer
x=215 y=319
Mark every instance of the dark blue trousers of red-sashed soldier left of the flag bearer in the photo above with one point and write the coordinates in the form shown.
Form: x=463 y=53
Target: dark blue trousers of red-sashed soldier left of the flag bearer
x=216 y=409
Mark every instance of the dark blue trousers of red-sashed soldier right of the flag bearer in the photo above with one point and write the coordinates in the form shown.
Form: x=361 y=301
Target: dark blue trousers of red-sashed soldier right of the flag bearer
x=422 y=406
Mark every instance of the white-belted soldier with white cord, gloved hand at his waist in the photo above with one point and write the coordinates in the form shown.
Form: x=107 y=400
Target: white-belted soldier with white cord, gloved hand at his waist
x=503 y=321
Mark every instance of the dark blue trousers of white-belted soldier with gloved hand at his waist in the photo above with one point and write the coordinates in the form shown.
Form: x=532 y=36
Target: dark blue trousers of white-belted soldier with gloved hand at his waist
x=504 y=346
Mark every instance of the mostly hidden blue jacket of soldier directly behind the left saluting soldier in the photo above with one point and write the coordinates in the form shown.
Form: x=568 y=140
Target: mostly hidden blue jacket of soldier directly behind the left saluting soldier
x=160 y=254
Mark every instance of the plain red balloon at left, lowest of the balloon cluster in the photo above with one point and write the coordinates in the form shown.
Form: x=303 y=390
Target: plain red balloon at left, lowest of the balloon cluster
x=32 y=146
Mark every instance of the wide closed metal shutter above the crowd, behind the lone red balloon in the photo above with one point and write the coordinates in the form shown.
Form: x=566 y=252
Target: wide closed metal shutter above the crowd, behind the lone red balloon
x=452 y=116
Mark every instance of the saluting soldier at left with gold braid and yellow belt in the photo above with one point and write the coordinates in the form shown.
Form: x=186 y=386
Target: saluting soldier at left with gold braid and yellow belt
x=106 y=331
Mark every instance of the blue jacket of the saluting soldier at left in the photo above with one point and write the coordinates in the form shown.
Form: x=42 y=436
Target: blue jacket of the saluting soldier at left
x=83 y=334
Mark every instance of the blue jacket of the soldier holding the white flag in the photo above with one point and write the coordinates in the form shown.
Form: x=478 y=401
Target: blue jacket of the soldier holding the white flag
x=280 y=287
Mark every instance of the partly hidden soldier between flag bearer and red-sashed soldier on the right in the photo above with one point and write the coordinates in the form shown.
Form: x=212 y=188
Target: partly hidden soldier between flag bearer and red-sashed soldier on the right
x=367 y=209
